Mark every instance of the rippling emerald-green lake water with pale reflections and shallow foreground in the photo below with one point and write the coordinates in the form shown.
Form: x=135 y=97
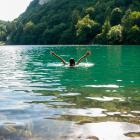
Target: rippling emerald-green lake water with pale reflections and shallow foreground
x=41 y=99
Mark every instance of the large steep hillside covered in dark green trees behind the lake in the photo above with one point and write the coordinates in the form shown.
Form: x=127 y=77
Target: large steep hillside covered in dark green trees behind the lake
x=78 y=22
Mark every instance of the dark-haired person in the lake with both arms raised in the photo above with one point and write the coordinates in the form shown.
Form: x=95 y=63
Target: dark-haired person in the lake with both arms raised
x=72 y=62
